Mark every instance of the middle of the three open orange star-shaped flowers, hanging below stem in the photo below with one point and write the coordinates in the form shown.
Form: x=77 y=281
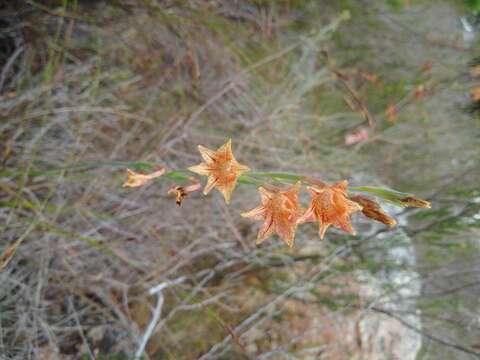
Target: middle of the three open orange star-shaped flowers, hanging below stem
x=280 y=210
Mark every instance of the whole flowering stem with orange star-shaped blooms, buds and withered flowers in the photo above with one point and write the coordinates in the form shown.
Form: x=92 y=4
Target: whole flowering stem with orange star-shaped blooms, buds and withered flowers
x=280 y=207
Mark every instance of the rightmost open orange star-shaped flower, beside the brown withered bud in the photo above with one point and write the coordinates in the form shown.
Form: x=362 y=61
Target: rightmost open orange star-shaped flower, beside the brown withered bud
x=330 y=206
